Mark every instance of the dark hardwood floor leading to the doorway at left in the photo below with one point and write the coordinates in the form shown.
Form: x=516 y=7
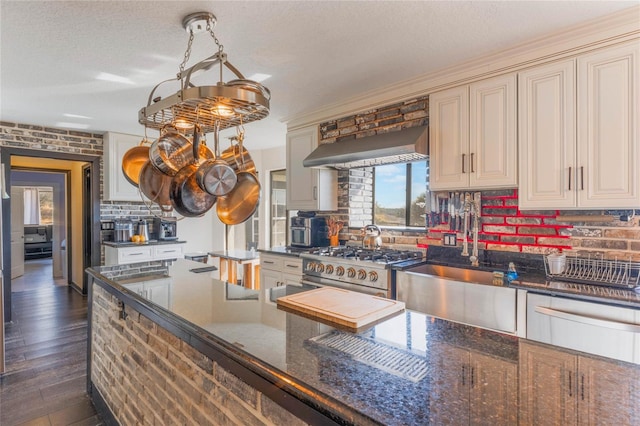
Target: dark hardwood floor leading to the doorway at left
x=46 y=344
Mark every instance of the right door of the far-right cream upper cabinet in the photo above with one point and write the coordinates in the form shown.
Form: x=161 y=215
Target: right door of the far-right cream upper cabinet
x=608 y=131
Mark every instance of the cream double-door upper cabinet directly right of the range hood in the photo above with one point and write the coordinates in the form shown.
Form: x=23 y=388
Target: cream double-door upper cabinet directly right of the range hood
x=473 y=135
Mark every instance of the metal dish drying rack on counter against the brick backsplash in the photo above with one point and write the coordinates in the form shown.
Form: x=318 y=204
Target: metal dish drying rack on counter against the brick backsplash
x=610 y=273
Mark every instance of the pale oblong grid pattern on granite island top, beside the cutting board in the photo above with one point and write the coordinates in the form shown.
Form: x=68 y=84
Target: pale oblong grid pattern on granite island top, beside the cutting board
x=386 y=358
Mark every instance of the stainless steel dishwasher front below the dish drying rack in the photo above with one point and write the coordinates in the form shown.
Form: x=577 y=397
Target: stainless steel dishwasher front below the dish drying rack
x=595 y=328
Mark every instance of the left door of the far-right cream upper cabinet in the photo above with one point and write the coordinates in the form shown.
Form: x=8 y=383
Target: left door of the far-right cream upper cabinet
x=547 y=136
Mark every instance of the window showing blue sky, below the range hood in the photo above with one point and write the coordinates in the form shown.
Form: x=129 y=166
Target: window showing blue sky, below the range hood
x=400 y=192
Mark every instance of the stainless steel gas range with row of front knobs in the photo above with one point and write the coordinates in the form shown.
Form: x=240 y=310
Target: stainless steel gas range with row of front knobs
x=353 y=268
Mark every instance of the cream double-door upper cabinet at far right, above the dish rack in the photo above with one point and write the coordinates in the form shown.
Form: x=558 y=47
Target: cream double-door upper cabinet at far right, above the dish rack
x=578 y=131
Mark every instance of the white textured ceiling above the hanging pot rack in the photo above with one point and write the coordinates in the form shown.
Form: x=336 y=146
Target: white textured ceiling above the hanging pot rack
x=318 y=53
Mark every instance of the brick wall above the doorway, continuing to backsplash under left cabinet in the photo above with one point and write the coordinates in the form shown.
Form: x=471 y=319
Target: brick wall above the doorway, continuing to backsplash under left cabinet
x=32 y=137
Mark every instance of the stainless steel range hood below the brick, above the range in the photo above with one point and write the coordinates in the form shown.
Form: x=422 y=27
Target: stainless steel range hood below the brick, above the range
x=395 y=147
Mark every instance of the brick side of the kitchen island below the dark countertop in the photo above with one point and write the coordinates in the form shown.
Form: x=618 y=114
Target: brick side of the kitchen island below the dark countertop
x=149 y=376
